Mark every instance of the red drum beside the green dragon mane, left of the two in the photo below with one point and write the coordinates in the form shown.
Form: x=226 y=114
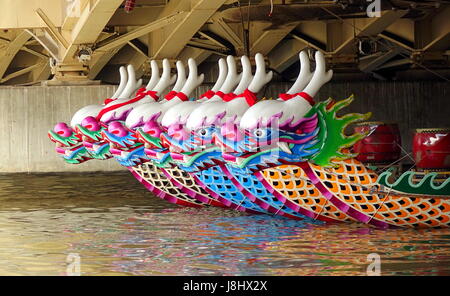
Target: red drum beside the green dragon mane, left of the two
x=381 y=145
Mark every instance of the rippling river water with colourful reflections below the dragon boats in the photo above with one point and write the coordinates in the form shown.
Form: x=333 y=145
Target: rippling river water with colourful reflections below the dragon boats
x=112 y=225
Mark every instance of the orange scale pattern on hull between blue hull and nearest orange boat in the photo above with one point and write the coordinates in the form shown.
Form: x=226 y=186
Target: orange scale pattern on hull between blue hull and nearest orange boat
x=291 y=182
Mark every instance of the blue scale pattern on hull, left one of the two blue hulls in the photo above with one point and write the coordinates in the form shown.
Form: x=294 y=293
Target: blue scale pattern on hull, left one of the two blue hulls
x=214 y=181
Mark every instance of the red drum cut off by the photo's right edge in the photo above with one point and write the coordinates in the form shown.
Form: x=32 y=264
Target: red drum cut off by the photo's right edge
x=431 y=148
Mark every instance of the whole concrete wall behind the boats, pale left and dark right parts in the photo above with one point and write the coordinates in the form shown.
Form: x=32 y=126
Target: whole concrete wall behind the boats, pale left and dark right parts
x=27 y=113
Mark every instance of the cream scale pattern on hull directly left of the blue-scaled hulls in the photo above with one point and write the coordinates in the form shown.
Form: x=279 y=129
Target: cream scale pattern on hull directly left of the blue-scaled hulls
x=184 y=181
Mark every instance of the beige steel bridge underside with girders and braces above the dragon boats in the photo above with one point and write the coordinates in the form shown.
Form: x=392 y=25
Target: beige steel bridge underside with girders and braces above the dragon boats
x=85 y=41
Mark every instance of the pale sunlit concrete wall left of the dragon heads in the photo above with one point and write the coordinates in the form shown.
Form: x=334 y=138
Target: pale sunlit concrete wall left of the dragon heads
x=27 y=113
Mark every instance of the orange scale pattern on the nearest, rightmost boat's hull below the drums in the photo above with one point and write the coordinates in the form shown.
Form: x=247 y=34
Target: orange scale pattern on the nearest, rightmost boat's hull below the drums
x=354 y=184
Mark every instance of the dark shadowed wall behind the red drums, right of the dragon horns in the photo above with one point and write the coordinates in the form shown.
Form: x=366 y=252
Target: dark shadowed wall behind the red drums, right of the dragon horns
x=414 y=104
